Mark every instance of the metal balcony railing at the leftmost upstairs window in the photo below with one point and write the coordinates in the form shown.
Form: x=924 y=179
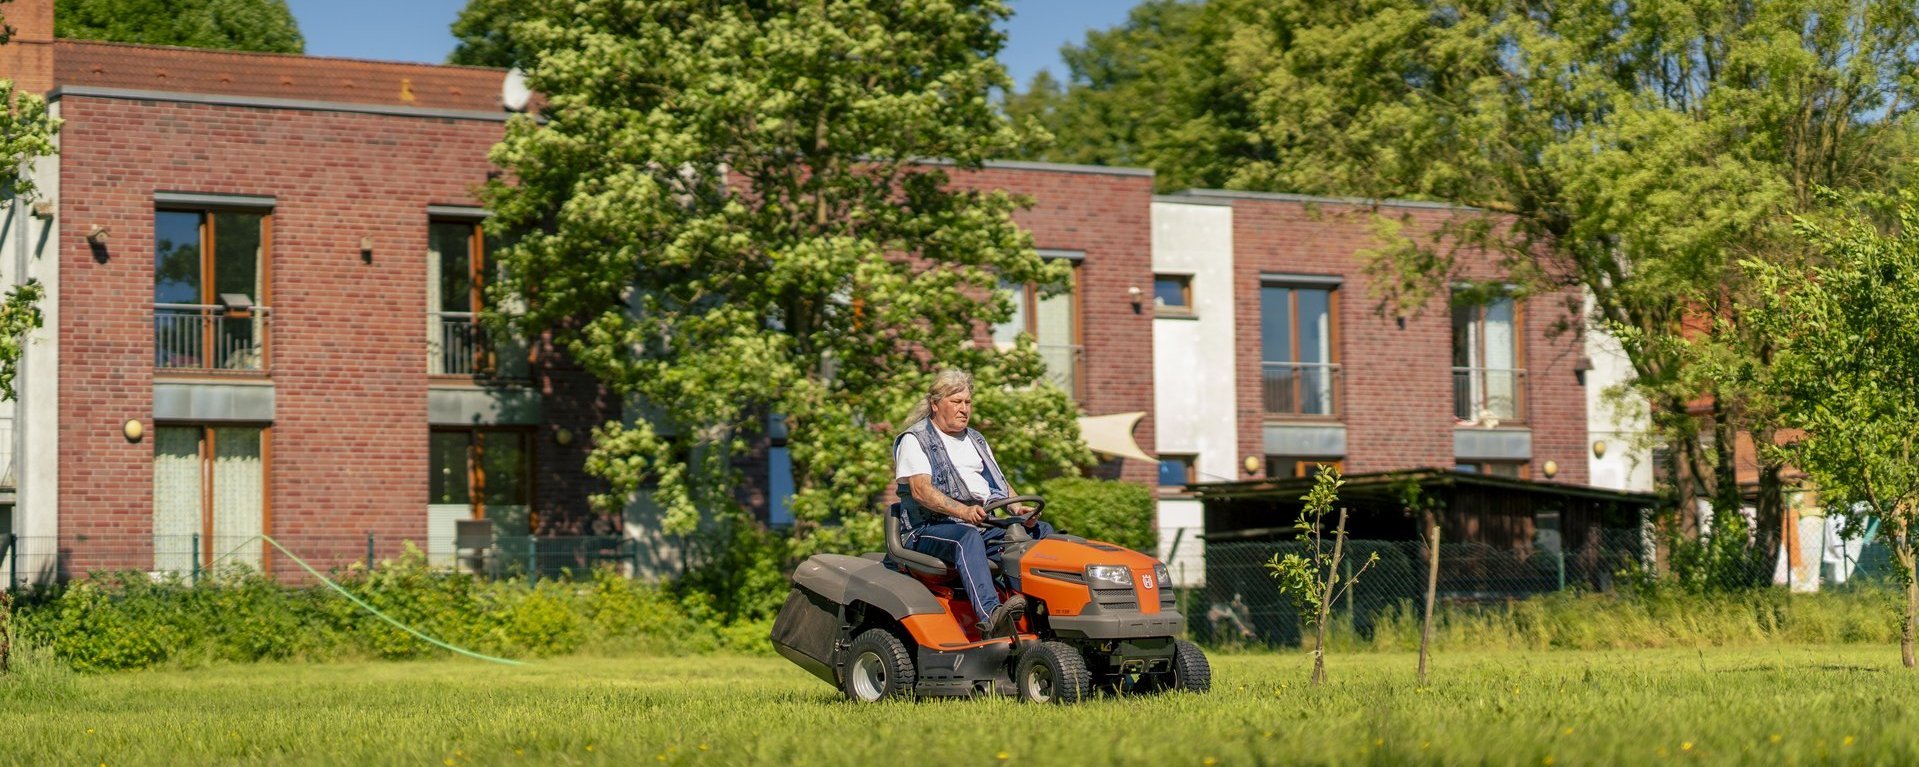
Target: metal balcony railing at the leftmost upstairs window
x=210 y=338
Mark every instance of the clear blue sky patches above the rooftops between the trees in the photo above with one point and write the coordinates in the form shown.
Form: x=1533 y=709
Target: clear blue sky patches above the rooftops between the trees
x=419 y=30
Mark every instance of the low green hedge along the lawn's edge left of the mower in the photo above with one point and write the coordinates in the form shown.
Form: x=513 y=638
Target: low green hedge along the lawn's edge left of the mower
x=130 y=620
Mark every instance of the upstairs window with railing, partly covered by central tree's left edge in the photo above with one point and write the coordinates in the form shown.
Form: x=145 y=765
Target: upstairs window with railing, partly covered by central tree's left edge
x=458 y=266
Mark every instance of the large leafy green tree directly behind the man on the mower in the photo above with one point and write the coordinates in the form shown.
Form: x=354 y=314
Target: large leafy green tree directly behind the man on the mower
x=726 y=216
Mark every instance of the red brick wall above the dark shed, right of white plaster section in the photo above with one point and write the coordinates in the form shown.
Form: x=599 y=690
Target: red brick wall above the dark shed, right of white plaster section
x=1398 y=386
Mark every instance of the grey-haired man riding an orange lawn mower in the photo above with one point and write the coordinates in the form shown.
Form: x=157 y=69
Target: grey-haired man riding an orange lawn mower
x=1072 y=615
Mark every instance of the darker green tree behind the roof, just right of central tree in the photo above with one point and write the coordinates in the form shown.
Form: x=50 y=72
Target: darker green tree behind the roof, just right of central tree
x=1154 y=91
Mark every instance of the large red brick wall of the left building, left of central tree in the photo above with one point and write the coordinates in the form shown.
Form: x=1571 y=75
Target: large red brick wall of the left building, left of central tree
x=350 y=440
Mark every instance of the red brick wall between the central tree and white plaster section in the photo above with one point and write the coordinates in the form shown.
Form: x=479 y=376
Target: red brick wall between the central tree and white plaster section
x=1106 y=216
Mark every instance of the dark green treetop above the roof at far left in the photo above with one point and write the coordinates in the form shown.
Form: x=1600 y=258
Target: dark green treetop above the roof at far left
x=260 y=26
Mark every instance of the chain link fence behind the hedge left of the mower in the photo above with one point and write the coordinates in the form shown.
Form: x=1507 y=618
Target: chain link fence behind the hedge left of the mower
x=28 y=561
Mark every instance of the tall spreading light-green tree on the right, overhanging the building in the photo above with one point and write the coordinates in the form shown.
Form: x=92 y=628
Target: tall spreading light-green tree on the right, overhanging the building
x=1632 y=151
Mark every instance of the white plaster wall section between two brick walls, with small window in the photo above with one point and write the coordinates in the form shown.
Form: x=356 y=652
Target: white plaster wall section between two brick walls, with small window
x=1195 y=396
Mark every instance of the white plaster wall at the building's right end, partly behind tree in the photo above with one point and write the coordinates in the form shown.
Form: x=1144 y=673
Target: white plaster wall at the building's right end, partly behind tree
x=1617 y=421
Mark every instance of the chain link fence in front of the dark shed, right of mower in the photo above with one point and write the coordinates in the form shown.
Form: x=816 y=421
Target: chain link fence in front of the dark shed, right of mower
x=1241 y=603
